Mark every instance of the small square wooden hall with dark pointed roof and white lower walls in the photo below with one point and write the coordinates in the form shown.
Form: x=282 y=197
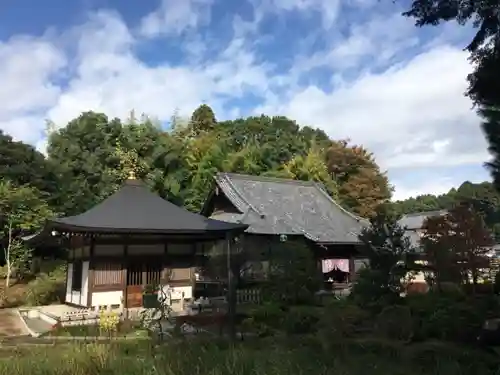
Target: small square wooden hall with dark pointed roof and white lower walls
x=133 y=239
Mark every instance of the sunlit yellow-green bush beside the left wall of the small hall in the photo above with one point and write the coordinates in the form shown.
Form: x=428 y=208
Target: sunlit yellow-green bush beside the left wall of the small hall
x=47 y=288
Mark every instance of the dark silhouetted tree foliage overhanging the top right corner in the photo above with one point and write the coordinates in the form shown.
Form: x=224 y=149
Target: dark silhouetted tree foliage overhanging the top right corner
x=484 y=81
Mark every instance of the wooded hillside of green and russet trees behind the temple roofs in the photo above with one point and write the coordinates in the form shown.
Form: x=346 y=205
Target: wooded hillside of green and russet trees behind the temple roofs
x=85 y=160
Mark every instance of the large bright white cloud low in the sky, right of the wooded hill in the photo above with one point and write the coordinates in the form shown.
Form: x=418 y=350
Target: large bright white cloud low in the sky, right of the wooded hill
x=407 y=115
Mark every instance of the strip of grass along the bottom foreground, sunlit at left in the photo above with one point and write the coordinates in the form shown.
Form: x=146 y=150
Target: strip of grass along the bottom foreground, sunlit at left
x=274 y=356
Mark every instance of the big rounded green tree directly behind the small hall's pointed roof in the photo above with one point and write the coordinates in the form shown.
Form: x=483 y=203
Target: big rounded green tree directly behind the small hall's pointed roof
x=89 y=151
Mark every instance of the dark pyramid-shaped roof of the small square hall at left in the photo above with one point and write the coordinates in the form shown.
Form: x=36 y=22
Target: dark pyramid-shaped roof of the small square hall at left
x=135 y=209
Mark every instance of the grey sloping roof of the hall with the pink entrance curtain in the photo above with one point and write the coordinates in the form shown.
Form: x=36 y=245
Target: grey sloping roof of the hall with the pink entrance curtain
x=280 y=206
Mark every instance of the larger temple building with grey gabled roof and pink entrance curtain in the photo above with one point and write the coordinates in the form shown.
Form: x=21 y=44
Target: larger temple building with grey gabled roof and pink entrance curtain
x=277 y=209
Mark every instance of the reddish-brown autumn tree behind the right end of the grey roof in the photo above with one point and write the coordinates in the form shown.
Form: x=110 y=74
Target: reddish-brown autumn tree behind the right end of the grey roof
x=362 y=186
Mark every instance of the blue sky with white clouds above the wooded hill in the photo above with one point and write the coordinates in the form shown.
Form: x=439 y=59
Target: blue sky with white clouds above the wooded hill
x=357 y=69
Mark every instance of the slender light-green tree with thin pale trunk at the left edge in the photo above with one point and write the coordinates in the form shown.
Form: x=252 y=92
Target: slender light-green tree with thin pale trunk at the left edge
x=22 y=211
